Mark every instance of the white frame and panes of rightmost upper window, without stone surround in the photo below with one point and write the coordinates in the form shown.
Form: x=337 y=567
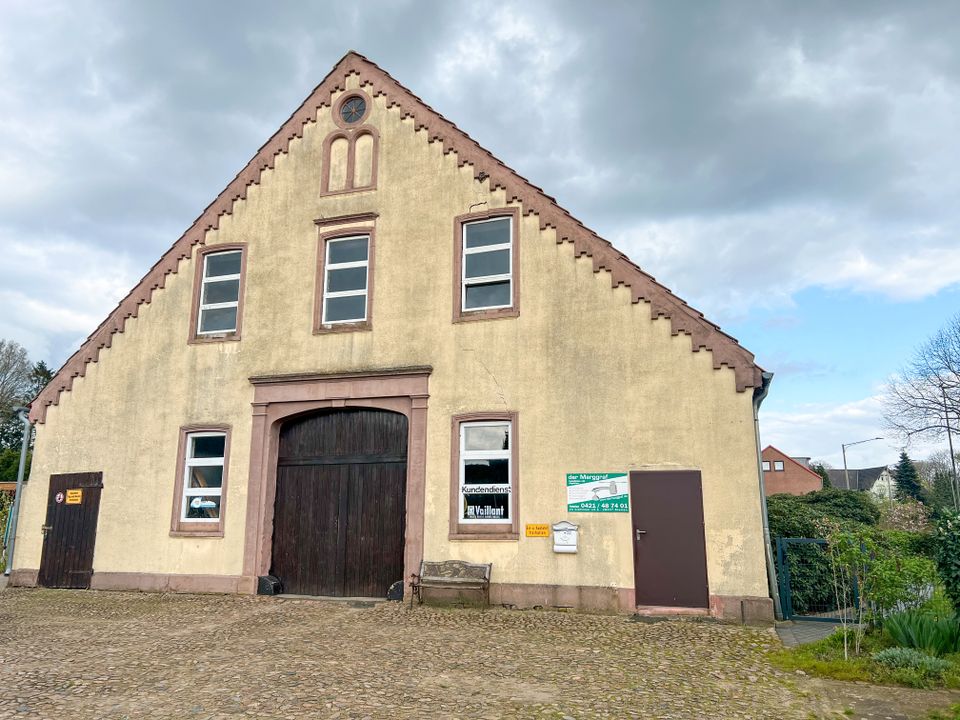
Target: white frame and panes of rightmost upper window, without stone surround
x=487 y=267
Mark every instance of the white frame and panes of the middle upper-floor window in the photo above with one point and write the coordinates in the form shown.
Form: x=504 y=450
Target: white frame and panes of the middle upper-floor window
x=346 y=279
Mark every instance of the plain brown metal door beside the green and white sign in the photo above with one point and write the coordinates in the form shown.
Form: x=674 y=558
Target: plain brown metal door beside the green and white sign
x=669 y=549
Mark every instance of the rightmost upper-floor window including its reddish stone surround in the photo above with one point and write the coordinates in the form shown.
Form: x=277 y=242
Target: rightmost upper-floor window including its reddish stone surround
x=486 y=265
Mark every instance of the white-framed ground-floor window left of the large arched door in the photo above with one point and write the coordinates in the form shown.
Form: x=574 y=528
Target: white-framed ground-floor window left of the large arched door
x=203 y=477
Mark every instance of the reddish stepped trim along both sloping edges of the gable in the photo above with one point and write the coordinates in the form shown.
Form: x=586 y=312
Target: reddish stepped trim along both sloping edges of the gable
x=376 y=82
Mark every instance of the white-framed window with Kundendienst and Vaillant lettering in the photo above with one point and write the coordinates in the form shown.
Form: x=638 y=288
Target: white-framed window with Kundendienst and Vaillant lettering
x=486 y=475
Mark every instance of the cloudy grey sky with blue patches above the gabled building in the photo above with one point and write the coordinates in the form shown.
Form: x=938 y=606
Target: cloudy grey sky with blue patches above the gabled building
x=789 y=169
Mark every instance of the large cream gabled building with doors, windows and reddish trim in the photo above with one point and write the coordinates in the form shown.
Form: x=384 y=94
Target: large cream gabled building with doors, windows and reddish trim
x=380 y=345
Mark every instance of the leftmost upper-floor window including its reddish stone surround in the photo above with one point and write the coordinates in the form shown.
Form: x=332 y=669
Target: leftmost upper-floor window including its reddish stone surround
x=218 y=294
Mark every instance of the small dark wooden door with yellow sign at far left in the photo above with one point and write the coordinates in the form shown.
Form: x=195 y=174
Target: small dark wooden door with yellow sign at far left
x=70 y=530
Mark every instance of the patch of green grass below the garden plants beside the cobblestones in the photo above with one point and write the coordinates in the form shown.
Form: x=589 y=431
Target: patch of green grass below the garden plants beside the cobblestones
x=824 y=658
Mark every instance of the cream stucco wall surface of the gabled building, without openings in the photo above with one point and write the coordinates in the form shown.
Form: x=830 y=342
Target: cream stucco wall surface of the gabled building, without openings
x=597 y=384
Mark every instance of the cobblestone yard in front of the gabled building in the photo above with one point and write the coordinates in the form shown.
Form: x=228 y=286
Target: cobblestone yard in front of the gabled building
x=83 y=654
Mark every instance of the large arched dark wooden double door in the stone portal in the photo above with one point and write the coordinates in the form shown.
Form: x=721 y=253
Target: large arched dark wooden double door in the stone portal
x=339 y=516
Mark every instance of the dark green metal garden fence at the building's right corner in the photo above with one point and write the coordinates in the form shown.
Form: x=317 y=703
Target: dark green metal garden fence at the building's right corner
x=808 y=584
